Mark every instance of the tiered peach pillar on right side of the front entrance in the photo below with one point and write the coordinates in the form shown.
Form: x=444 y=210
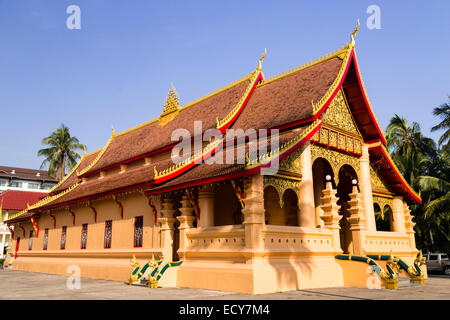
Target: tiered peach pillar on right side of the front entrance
x=357 y=220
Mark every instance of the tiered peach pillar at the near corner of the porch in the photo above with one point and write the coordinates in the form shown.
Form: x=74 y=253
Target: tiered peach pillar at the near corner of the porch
x=253 y=212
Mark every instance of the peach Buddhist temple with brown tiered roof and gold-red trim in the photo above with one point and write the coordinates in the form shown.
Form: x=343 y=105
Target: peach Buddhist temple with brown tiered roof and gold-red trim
x=235 y=225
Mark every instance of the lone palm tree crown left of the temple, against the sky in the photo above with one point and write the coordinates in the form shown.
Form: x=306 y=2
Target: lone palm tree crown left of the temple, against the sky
x=61 y=151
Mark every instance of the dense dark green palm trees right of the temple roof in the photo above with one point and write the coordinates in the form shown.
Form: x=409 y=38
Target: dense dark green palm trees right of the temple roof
x=425 y=168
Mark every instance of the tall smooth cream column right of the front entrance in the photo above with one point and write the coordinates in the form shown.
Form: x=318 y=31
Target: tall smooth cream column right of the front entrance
x=365 y=186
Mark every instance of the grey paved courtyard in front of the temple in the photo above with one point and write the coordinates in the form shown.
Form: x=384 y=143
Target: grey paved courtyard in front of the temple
x=22 y=285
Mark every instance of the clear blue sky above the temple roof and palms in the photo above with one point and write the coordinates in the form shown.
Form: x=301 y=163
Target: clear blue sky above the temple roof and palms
x=118 y=68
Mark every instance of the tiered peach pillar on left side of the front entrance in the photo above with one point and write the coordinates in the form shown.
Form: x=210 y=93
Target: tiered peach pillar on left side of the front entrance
x=331 y=215
